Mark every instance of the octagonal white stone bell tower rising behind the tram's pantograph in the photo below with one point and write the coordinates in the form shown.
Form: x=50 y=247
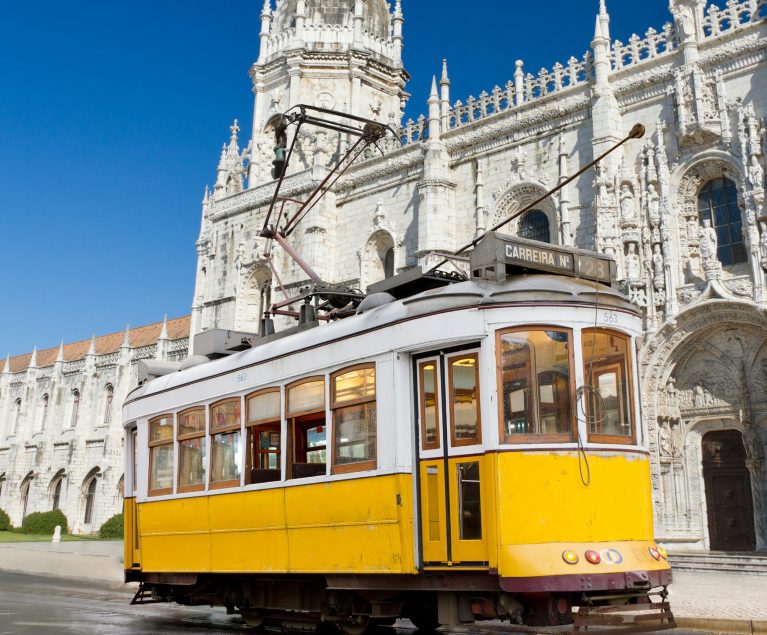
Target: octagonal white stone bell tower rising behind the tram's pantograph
x=344 y=55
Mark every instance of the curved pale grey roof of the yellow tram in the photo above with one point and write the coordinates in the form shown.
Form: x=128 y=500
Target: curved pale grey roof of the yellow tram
x=535 y=289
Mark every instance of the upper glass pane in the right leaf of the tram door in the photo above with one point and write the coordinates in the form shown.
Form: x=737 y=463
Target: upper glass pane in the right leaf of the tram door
x=465 y=425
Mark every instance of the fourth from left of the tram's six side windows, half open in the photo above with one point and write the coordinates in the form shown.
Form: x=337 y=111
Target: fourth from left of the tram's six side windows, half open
x=263 y=421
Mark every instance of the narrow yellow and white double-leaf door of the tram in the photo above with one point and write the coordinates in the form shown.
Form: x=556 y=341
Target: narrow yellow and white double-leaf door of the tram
x=451 y=461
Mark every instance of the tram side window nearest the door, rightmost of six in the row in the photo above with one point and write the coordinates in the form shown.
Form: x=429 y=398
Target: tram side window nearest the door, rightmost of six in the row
x=354 y=419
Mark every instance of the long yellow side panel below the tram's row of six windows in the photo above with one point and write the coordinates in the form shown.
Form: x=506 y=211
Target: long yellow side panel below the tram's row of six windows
x=362 y=525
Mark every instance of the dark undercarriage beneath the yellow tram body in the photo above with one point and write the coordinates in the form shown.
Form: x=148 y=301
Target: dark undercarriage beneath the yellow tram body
x=358 y=604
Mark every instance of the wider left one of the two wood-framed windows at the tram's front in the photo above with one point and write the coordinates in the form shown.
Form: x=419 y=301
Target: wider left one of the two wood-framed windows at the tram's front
x=535 y=385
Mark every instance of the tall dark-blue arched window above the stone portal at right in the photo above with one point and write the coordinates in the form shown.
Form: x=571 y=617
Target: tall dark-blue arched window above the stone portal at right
x=718 y=203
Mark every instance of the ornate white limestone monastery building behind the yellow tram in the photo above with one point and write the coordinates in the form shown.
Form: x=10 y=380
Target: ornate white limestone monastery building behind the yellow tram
x=682 y=212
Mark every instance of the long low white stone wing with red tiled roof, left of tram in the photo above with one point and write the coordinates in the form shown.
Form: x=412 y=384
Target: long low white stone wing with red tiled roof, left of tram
x=61 y=435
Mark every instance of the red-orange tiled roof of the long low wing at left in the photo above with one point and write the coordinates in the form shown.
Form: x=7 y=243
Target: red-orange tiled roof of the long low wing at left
x=178 y=328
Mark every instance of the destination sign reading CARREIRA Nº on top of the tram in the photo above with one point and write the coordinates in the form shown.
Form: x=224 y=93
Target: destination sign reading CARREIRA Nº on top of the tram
x=497 y=256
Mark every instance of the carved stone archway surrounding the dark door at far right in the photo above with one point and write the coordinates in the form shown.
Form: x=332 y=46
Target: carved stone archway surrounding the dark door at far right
x=716 y=353
